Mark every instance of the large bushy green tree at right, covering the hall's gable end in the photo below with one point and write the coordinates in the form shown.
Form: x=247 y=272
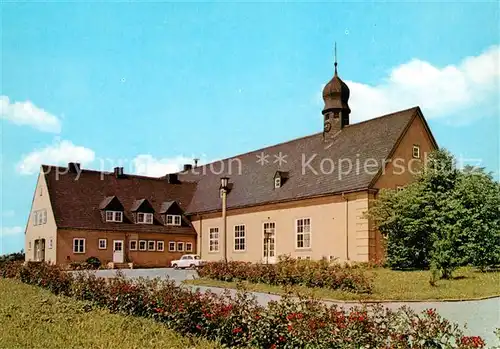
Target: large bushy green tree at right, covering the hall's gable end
x=445 y=218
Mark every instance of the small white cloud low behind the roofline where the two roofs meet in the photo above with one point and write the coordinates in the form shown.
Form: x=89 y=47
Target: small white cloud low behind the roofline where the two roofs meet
x=148 y=165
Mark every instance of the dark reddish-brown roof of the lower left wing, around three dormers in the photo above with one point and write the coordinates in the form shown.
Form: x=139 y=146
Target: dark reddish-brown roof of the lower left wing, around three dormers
x=76 y=203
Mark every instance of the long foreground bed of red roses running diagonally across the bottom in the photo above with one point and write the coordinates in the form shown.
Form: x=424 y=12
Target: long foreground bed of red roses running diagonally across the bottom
x=240 y=322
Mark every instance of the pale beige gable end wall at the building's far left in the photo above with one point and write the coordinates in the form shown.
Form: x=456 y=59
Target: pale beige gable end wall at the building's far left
x=45 y=231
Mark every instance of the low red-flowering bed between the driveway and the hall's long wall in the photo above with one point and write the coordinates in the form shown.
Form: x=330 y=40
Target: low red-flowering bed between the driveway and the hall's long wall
x=289 y=271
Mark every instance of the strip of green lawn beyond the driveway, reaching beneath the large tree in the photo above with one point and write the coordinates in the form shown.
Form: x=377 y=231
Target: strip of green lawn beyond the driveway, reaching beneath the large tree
x=395 y=285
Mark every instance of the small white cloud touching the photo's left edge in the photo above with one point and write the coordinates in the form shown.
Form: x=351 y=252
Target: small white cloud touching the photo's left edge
x=26 y=113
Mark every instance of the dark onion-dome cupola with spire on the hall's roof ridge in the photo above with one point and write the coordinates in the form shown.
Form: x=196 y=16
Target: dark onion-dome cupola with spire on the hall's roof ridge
x=336 y=111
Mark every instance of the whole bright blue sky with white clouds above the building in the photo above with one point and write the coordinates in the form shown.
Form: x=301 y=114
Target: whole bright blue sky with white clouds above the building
x=154 y=85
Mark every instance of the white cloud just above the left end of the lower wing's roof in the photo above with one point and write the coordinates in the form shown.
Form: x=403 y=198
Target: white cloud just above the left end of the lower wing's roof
x=59 y=153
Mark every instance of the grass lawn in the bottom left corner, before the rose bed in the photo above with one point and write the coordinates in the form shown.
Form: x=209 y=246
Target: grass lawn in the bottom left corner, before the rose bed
x=34 y=318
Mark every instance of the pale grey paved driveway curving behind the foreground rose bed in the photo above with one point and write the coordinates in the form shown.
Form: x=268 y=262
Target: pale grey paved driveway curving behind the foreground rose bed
x=481 y=317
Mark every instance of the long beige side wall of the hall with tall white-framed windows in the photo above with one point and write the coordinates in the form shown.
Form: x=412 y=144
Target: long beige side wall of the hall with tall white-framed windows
x=328 y=229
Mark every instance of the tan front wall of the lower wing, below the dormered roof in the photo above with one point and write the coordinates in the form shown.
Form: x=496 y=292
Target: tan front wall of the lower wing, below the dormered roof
x=65 y=252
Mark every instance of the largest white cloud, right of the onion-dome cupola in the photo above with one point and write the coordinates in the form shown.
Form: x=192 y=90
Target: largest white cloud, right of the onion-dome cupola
x=440 y=92
